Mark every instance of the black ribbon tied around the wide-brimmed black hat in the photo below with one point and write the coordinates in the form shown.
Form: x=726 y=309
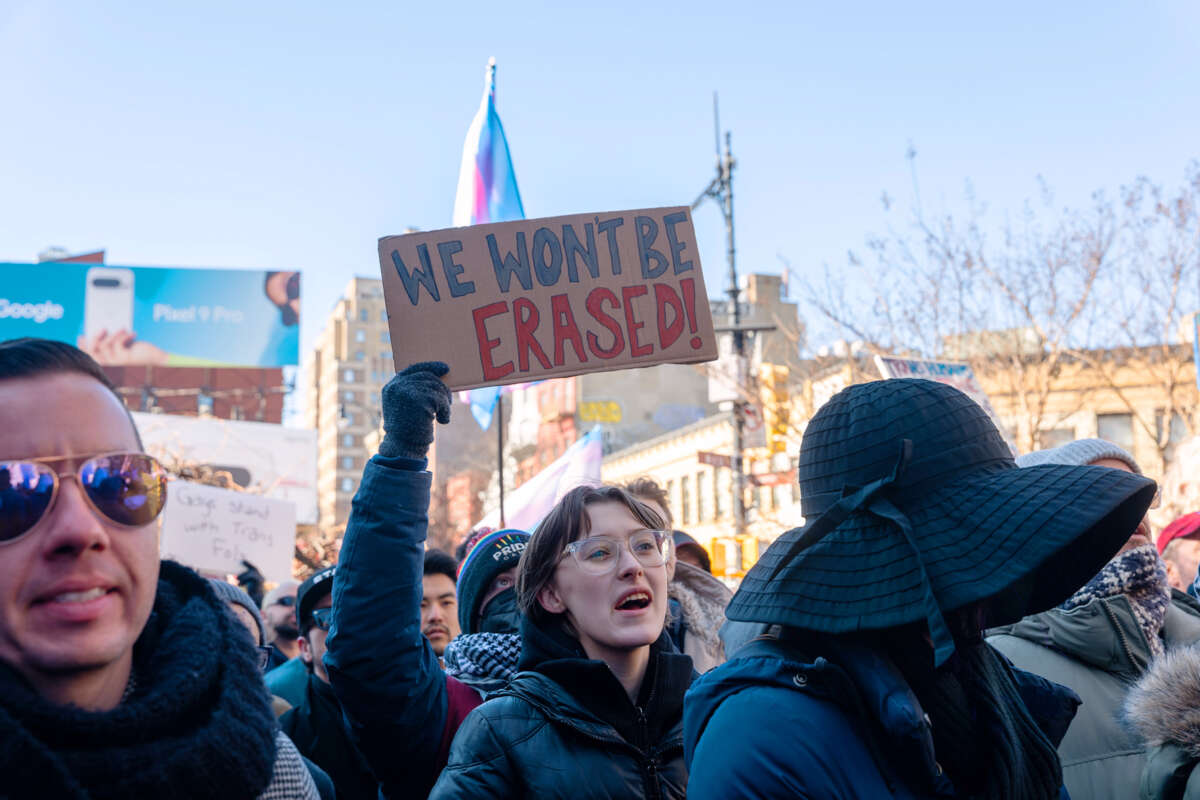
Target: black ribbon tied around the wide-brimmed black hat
x=868 y=500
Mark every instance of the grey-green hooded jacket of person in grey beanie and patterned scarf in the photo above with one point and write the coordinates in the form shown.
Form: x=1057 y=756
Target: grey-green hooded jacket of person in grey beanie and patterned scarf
x=1100 y=652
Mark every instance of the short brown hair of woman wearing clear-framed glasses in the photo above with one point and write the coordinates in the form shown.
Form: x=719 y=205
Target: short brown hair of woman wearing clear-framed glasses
x=566 y=524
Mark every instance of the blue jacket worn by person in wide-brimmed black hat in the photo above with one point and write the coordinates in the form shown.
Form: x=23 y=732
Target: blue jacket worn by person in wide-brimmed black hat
x=773 y=724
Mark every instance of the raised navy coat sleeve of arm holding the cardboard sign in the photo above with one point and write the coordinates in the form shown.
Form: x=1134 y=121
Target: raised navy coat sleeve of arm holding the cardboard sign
x=387 y=678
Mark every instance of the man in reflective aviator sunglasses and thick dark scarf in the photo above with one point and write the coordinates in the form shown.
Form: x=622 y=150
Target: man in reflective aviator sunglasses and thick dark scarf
x=121 y=676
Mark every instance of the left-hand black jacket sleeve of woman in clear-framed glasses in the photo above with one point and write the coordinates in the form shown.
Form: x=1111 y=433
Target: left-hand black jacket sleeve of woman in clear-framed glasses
x=479 y=765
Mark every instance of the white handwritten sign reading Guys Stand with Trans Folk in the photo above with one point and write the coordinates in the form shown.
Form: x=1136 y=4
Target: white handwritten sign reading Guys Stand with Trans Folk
x=214 y=530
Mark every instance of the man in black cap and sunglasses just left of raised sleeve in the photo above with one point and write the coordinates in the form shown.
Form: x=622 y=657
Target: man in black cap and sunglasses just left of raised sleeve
x=315 y=725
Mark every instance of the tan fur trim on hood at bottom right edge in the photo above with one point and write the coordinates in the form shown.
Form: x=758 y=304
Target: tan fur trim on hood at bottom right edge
x=1165 y=706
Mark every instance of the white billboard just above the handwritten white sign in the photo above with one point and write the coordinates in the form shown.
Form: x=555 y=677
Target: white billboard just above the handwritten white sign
x=268 y=459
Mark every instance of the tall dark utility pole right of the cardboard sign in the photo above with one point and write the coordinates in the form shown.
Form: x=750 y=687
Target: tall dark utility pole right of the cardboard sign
x=722 y=190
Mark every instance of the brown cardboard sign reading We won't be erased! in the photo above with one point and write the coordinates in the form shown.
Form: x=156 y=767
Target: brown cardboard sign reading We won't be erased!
x=519 y=302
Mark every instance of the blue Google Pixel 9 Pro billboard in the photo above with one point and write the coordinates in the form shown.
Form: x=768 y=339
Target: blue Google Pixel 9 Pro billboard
x=147 y=316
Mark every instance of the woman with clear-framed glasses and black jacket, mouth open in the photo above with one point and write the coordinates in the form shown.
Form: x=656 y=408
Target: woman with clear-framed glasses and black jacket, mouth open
x=597 y=709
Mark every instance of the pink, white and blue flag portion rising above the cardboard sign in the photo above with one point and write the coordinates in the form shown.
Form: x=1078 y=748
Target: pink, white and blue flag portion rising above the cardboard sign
x=488 y=188
